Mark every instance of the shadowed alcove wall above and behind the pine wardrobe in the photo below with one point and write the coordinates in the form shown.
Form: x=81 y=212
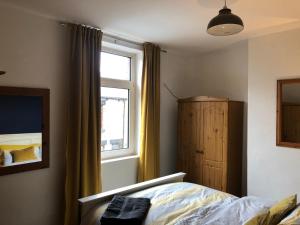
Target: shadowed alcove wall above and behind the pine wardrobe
x=222 y=73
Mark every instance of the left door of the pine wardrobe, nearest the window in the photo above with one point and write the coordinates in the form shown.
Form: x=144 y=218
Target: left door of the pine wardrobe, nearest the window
x=188 y=139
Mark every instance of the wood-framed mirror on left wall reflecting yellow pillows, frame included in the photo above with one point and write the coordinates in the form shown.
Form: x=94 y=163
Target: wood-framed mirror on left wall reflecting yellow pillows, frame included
x=24 y=129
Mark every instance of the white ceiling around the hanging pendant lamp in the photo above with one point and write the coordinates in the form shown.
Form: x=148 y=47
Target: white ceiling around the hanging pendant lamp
x=174 y=24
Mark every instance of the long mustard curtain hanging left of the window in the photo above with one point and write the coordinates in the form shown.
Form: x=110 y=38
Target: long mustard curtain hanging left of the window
x=83 y=137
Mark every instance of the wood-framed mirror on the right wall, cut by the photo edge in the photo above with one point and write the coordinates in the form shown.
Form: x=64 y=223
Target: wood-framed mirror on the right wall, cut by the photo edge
x=288 y=113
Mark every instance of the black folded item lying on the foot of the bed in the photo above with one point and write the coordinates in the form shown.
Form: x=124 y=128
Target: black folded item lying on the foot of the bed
x=125 y=210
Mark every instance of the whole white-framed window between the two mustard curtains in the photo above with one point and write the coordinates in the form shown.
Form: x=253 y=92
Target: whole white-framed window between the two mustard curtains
x=117 y=103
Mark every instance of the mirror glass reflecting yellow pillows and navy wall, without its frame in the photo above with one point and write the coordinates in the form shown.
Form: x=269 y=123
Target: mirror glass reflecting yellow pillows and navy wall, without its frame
x=20 y=130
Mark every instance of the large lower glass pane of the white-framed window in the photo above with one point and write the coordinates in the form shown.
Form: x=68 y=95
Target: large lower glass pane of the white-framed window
x=114 y=118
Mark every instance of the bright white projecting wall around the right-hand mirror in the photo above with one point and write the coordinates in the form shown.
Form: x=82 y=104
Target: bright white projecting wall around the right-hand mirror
x=272 y=171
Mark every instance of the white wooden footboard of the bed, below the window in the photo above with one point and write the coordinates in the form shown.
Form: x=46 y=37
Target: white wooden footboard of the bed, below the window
x=89 y=202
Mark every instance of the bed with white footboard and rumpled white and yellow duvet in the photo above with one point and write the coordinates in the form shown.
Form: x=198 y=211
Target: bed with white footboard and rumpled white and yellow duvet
x=176 y=202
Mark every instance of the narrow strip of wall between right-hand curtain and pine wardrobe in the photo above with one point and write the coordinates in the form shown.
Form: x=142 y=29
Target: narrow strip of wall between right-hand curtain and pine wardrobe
x=174 y=70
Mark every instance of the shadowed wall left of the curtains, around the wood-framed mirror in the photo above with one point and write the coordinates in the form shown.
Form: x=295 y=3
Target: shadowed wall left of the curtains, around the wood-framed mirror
x=34 y=52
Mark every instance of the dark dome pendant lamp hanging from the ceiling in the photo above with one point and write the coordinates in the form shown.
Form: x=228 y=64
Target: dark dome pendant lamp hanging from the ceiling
x=225 y=23
